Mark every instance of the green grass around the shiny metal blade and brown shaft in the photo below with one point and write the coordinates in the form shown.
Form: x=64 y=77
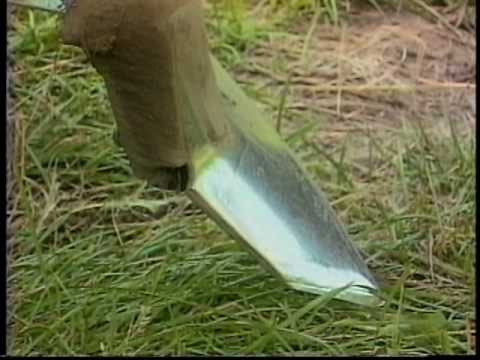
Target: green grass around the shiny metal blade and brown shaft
x=100 y=267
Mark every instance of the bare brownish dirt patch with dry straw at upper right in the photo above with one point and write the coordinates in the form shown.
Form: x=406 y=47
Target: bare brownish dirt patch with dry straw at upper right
x=377 y=71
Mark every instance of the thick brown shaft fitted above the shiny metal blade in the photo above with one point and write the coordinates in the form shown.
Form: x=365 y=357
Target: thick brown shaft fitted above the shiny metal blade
x=146 y=51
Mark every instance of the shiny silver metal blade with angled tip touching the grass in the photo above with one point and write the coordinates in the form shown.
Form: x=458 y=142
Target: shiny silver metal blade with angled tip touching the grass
x=258 y=192
